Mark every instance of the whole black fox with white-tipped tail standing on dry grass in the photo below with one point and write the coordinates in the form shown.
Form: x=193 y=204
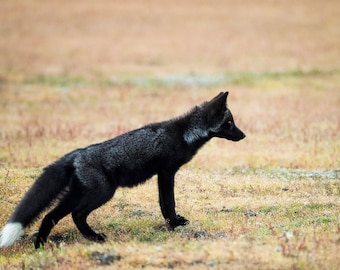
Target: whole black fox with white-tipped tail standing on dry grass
x=86 y=178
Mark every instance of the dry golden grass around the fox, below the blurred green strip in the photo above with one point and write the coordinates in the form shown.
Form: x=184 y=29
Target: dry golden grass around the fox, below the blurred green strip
x=245 y=211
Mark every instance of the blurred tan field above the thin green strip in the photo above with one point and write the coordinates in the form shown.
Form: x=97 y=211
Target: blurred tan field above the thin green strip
x=162 y=37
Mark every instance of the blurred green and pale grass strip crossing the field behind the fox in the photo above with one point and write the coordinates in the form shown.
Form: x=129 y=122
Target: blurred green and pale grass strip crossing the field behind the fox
x=245 y=78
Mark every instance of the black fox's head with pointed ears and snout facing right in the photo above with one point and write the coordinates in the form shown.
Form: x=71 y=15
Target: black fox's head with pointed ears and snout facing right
x=220 y=120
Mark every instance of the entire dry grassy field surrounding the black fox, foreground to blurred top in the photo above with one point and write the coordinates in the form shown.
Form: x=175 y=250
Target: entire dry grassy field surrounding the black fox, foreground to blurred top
x=74 y=73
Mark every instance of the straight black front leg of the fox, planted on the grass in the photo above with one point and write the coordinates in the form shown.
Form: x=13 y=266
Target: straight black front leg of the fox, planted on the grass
x=167 y=200
